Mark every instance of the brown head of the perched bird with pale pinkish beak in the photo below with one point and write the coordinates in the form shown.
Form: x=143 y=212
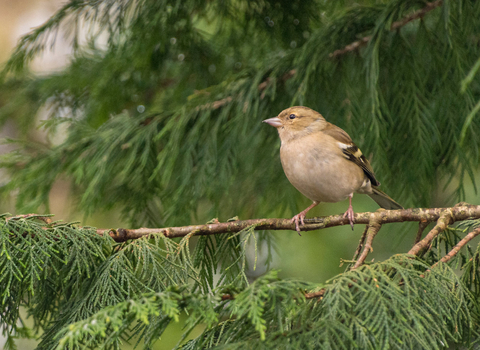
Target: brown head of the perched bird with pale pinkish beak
x=297 y=121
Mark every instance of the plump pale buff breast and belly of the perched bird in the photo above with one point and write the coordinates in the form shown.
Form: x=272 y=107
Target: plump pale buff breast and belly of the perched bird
x=319 y=170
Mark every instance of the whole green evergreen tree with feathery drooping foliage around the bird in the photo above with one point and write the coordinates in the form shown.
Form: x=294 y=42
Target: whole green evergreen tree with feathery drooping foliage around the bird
x=164 y=101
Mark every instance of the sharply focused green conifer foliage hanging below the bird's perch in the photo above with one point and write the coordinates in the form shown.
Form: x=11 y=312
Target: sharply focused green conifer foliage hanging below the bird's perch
x=87 y=292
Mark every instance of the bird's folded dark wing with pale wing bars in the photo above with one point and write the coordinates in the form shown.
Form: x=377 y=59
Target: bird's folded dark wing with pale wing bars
x=351 y=151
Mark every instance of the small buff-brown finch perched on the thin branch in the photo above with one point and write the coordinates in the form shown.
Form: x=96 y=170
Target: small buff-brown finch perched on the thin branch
x=321 y=161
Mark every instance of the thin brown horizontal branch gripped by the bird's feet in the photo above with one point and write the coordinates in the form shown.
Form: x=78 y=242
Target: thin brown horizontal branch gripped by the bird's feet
x=381 y=216
